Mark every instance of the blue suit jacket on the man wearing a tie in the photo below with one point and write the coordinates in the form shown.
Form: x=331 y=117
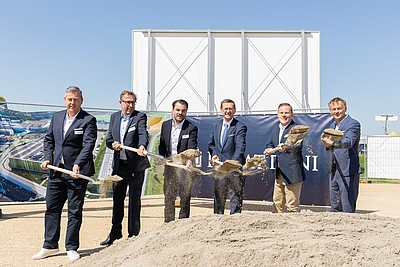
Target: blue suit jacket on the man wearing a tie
x=234 y=145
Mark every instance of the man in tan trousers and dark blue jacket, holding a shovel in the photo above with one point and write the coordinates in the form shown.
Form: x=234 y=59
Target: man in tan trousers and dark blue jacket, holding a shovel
x=288 y=162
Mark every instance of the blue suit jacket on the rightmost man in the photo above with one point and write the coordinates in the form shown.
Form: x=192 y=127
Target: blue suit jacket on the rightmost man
x=345 y=152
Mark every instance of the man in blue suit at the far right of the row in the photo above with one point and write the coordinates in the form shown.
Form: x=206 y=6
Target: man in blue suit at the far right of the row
x=345 y=168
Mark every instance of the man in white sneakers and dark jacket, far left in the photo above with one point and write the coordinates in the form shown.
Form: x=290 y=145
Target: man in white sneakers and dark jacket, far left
x=69 y=143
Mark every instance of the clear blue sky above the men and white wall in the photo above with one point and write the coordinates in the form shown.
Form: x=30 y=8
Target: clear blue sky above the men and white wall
x=46 y=46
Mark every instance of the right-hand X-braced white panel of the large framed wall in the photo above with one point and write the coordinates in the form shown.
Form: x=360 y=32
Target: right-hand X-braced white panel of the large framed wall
x=274 y=77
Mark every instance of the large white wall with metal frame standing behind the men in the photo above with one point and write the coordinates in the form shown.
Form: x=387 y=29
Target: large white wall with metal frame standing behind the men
x=256 y=69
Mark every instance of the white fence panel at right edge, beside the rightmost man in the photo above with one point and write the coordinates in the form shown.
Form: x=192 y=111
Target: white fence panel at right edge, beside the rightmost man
x=383 y=157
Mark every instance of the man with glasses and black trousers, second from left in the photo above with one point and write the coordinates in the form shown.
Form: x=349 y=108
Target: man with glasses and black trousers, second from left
x=127 y=127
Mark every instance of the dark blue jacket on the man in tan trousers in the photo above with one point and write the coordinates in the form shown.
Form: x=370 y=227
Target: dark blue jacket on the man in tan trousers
x=291 y=161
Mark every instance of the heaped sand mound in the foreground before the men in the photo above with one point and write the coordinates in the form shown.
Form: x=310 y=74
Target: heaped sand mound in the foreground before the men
x=261 y=239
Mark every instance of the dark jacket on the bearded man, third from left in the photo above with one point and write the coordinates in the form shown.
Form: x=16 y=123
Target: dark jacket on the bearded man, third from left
x=187 y=138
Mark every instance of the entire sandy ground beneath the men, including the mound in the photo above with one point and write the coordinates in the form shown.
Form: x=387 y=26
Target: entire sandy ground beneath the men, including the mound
x=257 y=237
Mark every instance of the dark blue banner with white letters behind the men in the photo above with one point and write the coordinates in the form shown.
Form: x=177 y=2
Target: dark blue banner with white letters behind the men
x=315 y=189
